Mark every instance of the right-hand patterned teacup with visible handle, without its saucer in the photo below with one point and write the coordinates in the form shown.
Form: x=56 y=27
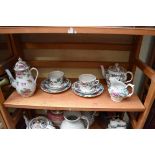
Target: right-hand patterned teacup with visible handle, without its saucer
x=87 y=82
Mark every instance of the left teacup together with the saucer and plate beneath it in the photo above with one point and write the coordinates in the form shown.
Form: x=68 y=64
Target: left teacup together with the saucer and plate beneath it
x=55 y=83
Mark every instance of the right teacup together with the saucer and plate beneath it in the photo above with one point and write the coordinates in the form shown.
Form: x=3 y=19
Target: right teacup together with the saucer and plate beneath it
x=87 y=86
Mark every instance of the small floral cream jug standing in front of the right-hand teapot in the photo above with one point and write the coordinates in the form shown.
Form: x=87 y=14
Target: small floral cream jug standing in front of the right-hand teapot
x=118 y=90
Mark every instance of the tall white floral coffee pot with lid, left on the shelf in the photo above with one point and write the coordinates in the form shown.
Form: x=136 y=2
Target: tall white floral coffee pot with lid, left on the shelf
x=24 y=83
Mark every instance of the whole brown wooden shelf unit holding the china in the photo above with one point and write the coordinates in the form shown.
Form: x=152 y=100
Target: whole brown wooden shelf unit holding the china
x=70 y=101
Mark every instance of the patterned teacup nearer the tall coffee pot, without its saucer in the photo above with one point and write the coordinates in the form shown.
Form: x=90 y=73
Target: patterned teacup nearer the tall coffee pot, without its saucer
x=56 y=78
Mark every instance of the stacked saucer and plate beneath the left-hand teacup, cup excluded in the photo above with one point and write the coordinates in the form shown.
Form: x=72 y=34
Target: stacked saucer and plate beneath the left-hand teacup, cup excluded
x=45 y=86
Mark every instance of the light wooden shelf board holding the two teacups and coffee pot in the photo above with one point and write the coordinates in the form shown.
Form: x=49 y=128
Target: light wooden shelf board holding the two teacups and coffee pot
x=69 y=101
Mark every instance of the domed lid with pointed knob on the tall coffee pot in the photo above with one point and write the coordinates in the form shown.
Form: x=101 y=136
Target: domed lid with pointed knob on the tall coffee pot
x=21 y=65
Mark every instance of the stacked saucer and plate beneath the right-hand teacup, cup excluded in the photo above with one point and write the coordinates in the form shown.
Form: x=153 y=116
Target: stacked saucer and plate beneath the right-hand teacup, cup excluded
x=97 y=91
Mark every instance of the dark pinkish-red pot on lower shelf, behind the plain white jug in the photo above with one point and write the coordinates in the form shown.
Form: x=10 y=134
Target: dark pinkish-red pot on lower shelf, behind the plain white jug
x=56 y=117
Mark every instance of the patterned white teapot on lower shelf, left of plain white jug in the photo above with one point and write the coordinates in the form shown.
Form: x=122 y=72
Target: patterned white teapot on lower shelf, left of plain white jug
x=39 y=122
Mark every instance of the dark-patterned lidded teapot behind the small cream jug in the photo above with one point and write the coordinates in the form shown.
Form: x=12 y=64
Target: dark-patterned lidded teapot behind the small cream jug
x=118 y=72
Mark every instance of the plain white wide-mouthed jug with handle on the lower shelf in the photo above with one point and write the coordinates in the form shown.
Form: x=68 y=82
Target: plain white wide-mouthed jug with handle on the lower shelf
x=73 y=120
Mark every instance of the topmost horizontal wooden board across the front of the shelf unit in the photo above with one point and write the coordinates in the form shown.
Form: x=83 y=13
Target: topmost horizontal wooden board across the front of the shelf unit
x=79 y=30
